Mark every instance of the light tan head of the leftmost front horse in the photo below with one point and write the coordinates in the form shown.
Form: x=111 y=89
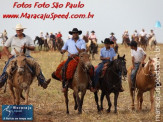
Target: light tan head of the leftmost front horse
x=20 y=62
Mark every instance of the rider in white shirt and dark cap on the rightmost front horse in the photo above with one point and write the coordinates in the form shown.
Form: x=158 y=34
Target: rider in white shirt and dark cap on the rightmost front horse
x=138 y=56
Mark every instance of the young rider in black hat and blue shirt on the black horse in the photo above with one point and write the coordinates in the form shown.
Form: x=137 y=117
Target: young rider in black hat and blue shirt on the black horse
x=107 y=55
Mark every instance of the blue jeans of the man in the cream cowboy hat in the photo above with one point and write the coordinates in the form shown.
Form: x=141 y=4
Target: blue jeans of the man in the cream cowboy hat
x=3 y=77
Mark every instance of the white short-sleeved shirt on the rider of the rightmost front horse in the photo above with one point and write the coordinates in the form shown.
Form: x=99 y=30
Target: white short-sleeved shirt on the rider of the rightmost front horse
x=138 y=54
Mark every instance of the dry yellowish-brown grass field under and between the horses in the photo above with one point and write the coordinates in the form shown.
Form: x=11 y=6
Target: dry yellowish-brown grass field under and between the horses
x=49 y=104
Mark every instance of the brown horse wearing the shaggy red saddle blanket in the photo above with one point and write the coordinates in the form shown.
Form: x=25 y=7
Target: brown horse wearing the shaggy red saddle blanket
x=79 y=83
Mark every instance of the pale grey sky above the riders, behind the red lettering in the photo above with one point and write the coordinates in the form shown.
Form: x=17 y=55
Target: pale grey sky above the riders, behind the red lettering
x=109 y=16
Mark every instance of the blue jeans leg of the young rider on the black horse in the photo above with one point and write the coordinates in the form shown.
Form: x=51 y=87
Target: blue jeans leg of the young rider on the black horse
x=97 y=71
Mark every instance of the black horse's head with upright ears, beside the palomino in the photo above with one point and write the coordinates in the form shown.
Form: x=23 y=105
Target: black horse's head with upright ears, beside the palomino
x=121 y=65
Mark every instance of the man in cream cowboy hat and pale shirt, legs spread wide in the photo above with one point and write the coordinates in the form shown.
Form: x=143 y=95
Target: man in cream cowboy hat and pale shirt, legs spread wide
x=19 y=42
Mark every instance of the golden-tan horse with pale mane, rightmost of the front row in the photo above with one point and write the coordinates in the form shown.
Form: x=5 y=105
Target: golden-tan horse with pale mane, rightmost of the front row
x=145 y=81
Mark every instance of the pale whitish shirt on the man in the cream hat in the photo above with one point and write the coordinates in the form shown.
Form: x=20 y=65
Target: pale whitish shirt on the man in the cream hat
x=15 y=42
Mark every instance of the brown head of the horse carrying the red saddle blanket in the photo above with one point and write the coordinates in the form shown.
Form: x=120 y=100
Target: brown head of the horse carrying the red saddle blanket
x=84 y=59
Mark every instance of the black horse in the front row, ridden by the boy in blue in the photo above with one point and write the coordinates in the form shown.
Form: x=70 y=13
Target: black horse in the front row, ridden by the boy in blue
x=111 y=82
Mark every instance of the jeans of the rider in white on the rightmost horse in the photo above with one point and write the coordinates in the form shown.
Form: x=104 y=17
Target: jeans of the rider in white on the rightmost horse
x=133 y=73
